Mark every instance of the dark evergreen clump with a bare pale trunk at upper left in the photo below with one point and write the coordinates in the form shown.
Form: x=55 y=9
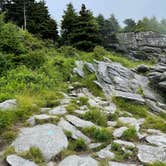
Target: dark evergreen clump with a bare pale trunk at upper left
x=33 y=16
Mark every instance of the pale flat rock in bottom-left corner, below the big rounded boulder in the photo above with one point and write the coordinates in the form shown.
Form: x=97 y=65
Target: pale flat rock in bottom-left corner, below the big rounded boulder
x=15 y=160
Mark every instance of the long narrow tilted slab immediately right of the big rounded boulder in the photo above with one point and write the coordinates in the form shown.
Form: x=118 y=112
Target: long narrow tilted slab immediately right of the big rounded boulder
x=65 y=125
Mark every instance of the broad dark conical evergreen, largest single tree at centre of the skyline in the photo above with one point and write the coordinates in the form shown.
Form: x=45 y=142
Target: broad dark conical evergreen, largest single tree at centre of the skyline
x=85 y=34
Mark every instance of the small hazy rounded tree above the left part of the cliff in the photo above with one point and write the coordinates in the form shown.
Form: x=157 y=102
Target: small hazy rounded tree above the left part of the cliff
x=130 y=25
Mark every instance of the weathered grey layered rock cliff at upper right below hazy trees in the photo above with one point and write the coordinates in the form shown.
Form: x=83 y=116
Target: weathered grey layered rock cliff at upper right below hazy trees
x=142 y=45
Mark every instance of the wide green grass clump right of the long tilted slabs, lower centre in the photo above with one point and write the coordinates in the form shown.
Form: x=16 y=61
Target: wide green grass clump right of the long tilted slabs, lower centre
x=98 y=134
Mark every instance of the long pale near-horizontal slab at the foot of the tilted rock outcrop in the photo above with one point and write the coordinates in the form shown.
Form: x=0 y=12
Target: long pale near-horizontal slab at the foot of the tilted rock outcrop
x=130 y=96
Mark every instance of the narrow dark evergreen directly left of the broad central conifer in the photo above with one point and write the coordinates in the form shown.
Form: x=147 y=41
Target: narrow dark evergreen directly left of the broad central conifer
x=67 y=24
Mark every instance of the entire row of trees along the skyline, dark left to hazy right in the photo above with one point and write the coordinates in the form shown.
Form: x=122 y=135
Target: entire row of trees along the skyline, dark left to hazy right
x=81 y=30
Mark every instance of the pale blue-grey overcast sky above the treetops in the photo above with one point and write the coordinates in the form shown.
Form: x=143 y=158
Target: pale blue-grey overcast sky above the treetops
x=122 y=9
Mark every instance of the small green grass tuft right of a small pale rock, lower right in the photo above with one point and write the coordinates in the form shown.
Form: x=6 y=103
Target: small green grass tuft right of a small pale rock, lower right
x=130 y=134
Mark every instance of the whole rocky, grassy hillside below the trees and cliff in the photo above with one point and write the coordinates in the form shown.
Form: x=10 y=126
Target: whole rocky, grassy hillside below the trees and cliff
x=66 y=107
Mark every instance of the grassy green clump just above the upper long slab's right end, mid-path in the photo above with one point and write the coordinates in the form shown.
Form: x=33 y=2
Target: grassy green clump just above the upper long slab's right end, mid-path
x=96 y=116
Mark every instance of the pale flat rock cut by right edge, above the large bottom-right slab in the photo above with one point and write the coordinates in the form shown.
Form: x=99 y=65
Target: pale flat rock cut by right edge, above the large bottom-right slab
x=159 y=140
